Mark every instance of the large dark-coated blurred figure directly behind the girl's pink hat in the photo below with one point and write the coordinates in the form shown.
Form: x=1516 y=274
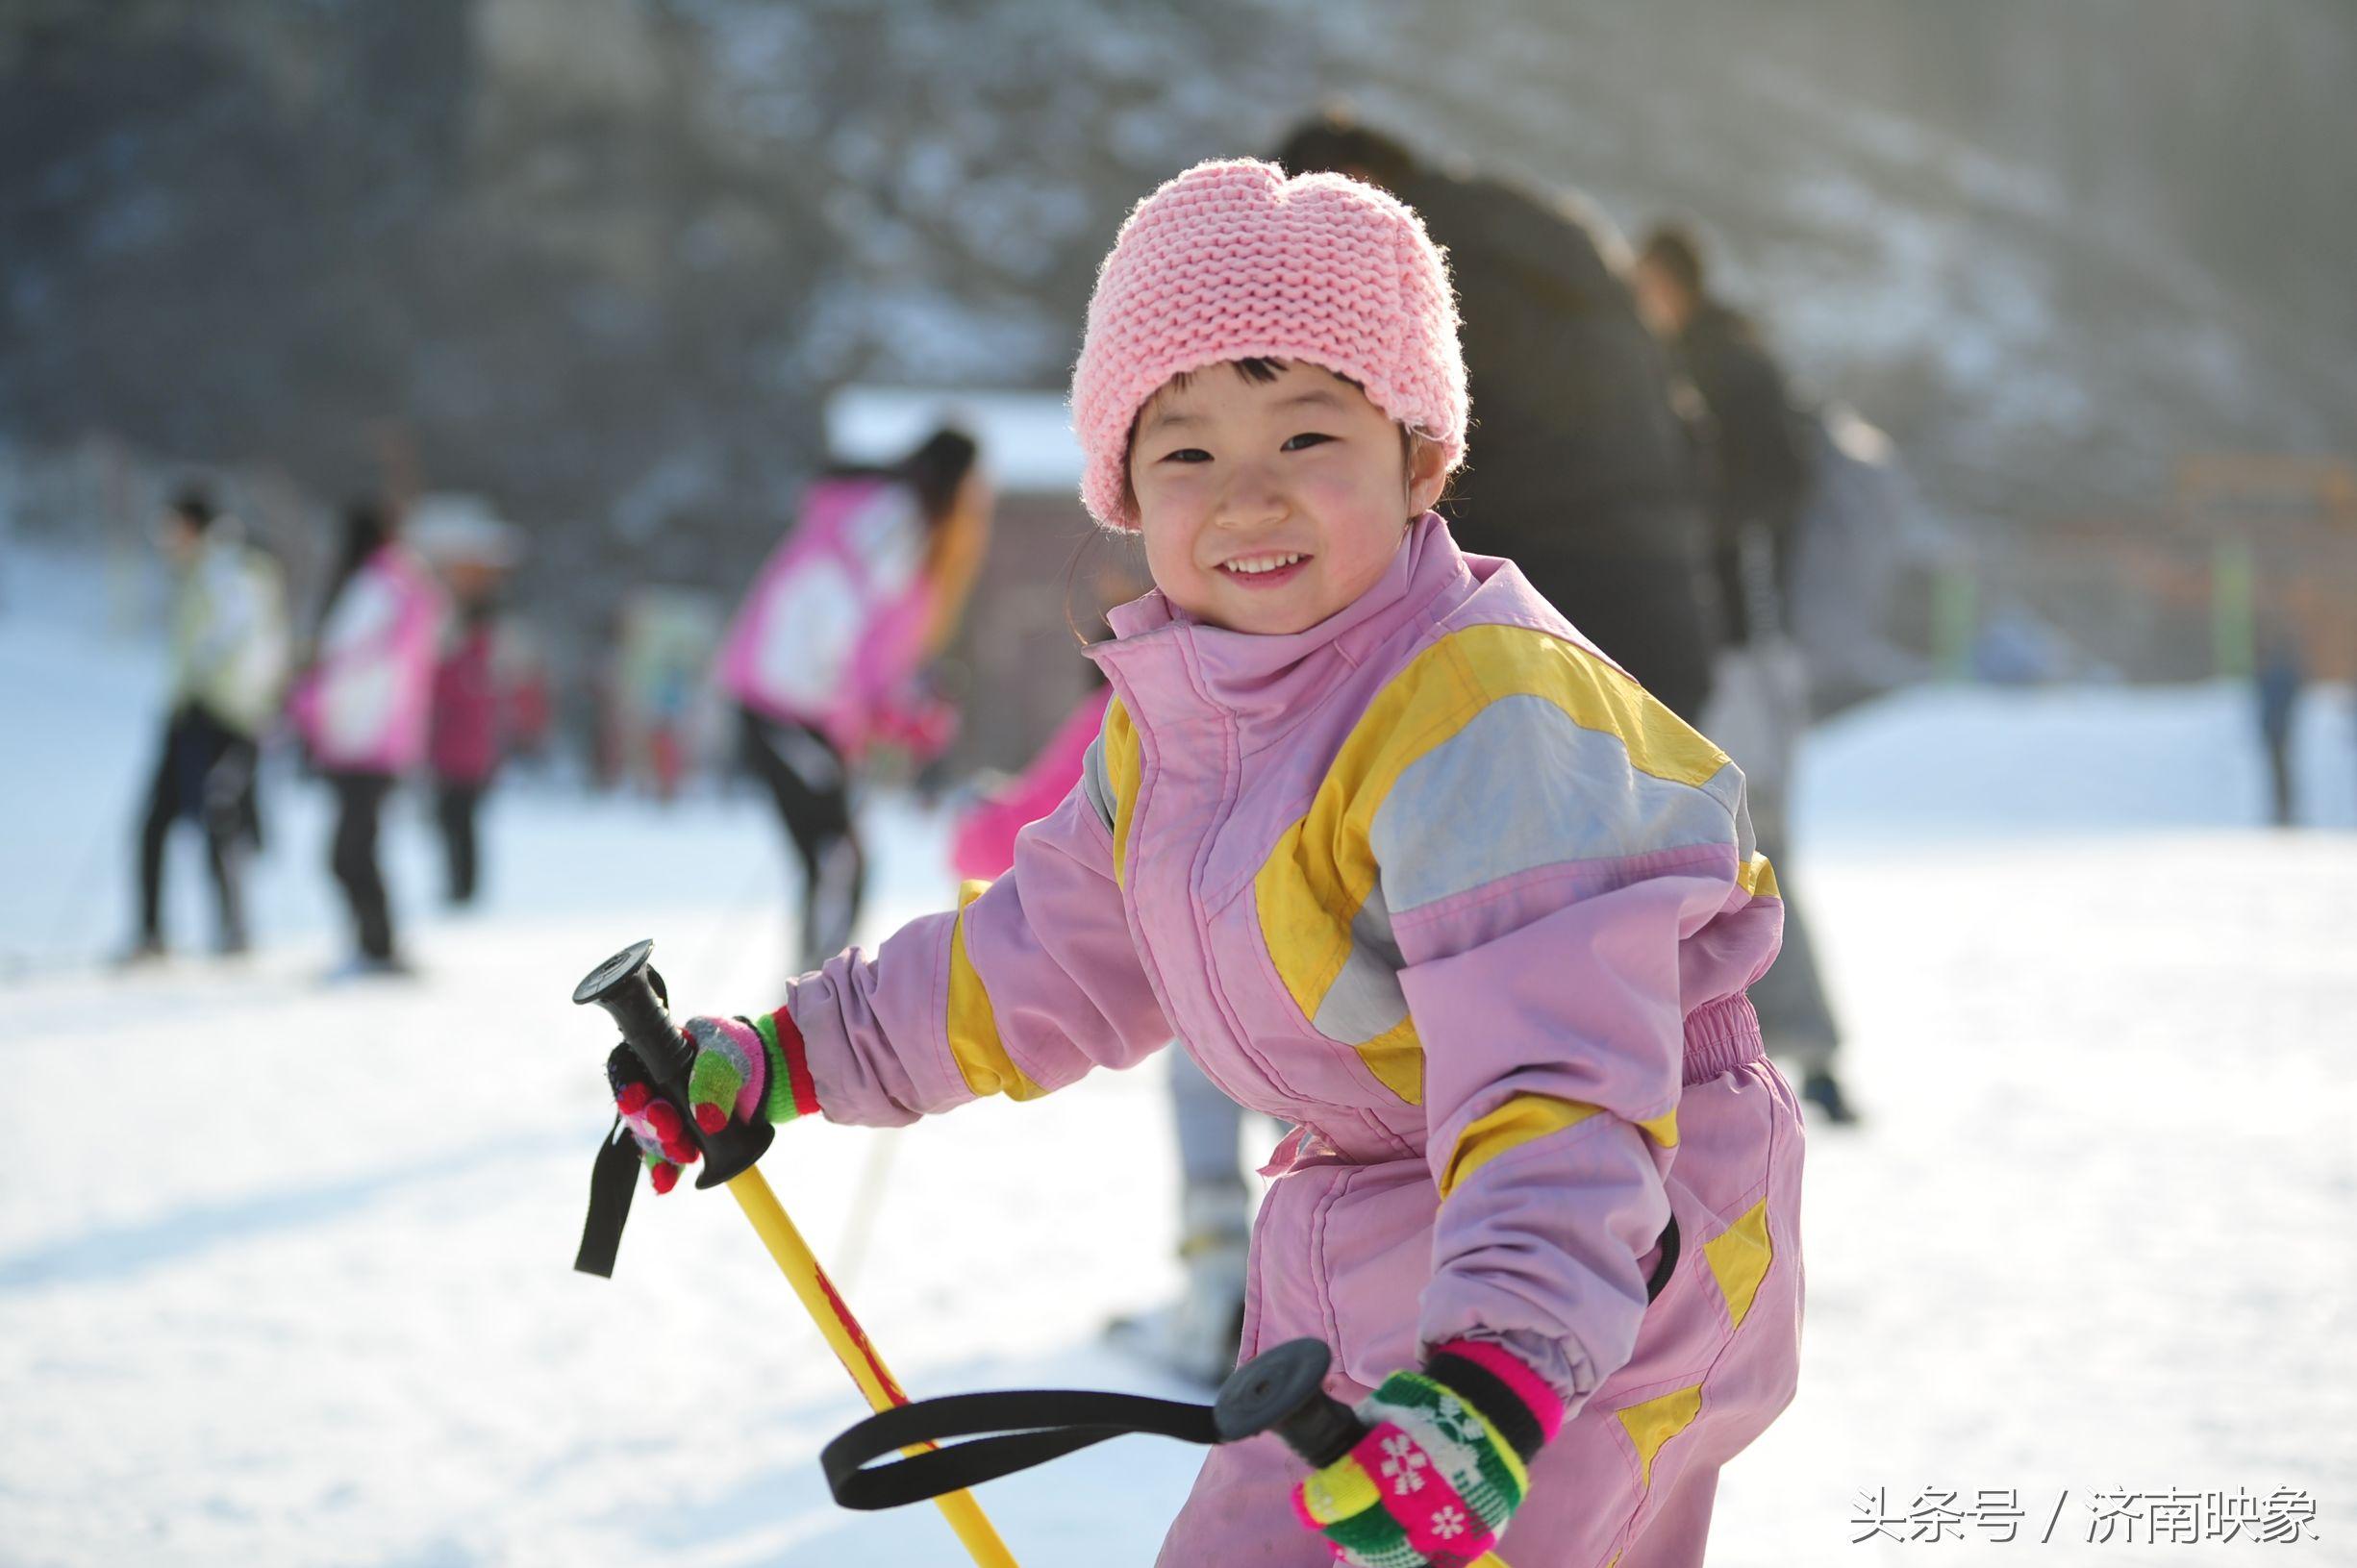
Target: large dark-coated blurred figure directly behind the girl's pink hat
x=1578 y=463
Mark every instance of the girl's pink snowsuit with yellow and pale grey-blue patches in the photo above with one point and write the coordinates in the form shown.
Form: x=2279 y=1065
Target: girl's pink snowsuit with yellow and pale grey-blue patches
x=1444 y=888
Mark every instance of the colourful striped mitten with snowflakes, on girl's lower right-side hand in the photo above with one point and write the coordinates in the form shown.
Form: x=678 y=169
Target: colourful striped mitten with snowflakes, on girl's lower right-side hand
x=1444 y=1463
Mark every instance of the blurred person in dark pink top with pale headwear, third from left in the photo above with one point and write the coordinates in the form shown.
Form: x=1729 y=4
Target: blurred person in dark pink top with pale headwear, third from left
x=468 y=737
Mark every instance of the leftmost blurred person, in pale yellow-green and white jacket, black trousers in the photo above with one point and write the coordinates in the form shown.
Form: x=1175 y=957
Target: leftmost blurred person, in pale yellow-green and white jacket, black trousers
x=230 y=661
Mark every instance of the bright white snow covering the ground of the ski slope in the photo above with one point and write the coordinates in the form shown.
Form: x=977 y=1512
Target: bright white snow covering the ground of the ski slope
x=284 y=1265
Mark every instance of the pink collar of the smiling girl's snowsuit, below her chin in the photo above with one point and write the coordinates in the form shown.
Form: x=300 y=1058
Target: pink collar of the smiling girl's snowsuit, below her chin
x=1265 y=678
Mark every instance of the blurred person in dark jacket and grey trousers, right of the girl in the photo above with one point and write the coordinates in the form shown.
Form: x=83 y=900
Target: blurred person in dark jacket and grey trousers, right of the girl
x=1755 y=477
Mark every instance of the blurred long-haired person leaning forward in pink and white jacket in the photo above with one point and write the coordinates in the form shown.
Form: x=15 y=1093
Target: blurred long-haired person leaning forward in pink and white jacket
x=826 y=654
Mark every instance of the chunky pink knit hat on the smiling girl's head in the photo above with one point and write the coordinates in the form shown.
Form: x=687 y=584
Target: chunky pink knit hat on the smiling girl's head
x=1234 y=261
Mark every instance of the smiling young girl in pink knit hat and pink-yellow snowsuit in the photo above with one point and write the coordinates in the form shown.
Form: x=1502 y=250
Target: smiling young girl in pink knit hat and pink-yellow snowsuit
x=1406 y=864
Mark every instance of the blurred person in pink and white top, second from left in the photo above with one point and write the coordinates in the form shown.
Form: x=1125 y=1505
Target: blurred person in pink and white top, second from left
x=364 y=706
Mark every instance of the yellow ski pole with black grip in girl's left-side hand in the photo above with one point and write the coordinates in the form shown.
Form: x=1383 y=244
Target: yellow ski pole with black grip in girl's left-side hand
x=623 y=989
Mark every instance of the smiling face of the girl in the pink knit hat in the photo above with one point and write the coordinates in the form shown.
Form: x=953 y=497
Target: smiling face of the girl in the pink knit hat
x=1269 y=506
